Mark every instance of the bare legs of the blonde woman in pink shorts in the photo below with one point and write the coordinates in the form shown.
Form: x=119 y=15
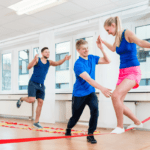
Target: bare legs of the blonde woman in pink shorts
x=117 y=95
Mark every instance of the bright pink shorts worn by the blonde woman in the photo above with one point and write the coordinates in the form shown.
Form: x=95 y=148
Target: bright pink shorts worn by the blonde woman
x=132 y=73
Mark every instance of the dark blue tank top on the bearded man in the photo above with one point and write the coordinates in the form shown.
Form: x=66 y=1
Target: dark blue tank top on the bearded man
x=39 y=72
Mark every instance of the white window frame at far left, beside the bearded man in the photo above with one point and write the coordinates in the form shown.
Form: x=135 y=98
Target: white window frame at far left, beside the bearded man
x=14 y=67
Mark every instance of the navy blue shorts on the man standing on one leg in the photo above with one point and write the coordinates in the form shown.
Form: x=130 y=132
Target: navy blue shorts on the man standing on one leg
x=36 y=90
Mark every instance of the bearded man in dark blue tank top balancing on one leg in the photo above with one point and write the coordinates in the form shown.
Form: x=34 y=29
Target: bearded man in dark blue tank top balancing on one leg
x=36 y=88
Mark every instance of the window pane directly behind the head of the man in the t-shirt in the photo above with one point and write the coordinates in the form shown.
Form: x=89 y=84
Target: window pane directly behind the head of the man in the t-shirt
x=90 y=41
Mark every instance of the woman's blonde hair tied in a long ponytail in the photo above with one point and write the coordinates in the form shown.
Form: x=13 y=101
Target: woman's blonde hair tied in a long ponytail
x=119 y=28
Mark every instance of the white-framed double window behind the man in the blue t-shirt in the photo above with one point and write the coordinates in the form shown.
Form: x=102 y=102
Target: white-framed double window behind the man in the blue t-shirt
x=65 y=77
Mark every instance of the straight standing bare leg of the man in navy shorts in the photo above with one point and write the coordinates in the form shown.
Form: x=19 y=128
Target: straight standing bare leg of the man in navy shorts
x=38 y=109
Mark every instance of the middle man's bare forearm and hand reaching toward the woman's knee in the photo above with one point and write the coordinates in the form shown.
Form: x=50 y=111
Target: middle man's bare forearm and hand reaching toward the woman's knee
x=93 y=83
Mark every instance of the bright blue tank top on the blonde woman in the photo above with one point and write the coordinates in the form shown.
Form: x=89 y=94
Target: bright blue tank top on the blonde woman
x=128 y=53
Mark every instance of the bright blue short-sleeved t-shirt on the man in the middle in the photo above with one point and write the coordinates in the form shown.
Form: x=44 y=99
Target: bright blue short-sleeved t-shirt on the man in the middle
x=81 y=87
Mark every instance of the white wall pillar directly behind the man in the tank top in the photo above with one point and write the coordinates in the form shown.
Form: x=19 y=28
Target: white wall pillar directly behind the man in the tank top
x=48 y=110
